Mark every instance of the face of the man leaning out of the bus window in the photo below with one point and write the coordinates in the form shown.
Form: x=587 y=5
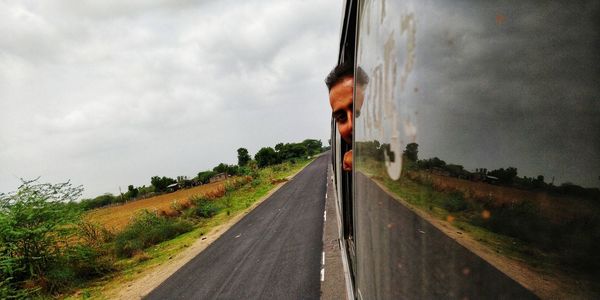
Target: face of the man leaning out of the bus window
x=340 y=98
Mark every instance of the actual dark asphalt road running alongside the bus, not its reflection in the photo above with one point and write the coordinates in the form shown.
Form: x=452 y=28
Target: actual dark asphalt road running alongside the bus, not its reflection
x=274 y=252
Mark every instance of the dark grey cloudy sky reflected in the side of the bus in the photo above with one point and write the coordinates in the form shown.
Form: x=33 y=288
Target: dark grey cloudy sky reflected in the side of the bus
x=492 y=84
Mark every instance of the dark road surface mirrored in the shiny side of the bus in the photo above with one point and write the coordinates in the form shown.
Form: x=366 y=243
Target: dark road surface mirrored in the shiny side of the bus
x=403 y=256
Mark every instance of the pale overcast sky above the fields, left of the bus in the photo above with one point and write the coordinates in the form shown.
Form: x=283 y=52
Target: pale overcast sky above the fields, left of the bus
x=110 y=93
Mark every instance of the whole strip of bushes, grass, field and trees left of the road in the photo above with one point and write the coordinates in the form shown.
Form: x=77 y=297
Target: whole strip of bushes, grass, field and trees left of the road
x=52 y=245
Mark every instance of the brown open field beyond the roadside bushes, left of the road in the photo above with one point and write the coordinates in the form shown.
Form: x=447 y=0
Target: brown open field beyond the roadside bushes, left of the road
x=115 y=218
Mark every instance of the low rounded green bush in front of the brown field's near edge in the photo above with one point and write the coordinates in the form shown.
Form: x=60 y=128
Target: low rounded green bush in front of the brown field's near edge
x=148 y=229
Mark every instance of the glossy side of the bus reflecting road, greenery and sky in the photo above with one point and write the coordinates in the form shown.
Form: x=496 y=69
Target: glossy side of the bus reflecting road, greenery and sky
x=476 y=151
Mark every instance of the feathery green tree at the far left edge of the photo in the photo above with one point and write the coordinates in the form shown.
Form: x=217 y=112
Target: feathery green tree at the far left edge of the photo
x=35 y=227
